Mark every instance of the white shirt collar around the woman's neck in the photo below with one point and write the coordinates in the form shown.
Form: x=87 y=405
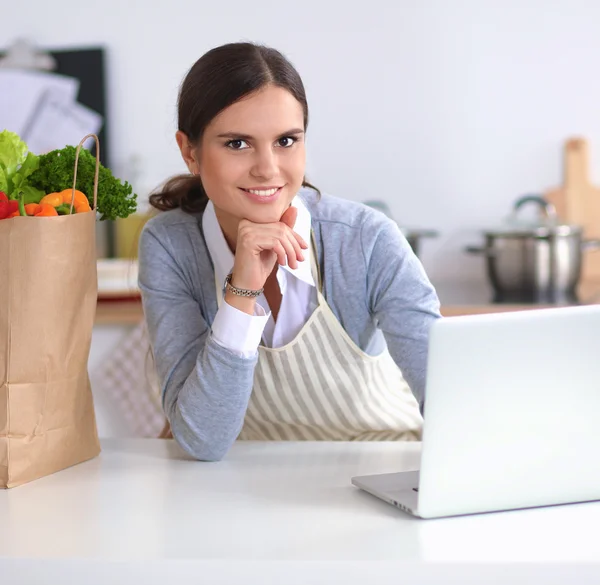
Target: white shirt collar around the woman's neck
x=222 y=257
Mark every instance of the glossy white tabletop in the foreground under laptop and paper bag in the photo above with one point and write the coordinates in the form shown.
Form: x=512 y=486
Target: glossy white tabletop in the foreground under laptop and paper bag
x=281 y=513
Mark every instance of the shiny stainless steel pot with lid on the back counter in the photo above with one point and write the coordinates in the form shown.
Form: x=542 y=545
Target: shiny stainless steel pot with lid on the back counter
x=535 y=263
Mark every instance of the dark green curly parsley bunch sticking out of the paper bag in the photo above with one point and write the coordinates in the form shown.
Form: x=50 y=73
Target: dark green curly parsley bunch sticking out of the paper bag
x=55 y=173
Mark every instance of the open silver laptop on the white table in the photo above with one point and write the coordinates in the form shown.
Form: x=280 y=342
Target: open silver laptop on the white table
x=512 y=415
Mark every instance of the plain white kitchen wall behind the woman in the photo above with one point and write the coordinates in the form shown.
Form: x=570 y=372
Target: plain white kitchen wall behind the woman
x=447 y=109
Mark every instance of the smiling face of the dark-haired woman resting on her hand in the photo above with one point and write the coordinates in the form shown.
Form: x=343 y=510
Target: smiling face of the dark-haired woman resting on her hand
x=252 y=158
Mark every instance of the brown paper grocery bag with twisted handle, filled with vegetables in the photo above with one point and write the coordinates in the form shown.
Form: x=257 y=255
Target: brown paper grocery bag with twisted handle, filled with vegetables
x=48 y=295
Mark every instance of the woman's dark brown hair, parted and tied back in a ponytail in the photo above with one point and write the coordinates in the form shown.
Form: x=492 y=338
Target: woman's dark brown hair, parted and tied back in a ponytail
x=221 y=77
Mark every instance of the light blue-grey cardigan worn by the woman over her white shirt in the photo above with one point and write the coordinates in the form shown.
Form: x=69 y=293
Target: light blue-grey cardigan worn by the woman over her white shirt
x=373 y=282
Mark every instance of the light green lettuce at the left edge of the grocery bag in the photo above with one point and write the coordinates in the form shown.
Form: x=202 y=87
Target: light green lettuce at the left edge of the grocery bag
x=16 y=164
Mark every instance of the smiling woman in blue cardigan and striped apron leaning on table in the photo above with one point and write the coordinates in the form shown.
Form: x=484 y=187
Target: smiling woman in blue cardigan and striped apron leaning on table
x=270 y=308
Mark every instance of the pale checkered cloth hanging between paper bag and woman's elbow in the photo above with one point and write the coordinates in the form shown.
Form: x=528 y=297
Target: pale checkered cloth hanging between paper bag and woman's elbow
x=129 y=380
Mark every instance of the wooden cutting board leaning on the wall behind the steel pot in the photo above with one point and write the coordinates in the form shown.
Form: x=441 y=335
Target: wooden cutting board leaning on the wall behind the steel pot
x=577 y=201
